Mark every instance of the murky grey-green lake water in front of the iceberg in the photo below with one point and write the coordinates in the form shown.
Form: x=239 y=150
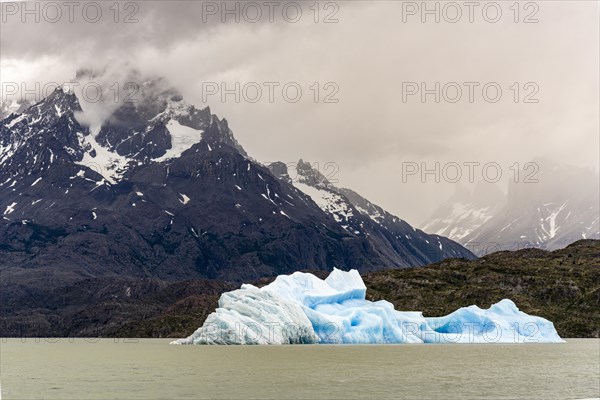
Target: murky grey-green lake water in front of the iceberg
x=152 y=369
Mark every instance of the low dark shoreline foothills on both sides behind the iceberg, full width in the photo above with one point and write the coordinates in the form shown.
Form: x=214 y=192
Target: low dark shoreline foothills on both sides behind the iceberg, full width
x=562 y=286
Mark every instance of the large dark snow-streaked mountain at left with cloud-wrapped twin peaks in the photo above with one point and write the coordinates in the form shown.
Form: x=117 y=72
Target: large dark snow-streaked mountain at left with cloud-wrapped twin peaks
x=163 y=189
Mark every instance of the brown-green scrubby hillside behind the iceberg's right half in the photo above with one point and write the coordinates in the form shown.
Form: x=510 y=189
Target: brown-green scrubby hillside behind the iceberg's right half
x=562 y=286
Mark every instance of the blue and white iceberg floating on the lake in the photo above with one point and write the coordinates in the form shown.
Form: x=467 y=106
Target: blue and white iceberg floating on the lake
x=302 y=309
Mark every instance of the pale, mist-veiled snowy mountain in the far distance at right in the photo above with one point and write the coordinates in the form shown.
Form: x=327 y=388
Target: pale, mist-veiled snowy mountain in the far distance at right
x=560 y=207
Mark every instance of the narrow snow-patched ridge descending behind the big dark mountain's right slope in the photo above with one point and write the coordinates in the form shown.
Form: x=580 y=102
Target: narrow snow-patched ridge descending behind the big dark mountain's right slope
x=391 y=236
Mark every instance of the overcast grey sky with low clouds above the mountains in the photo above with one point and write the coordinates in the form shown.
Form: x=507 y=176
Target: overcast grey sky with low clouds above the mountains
x=373 y=57
